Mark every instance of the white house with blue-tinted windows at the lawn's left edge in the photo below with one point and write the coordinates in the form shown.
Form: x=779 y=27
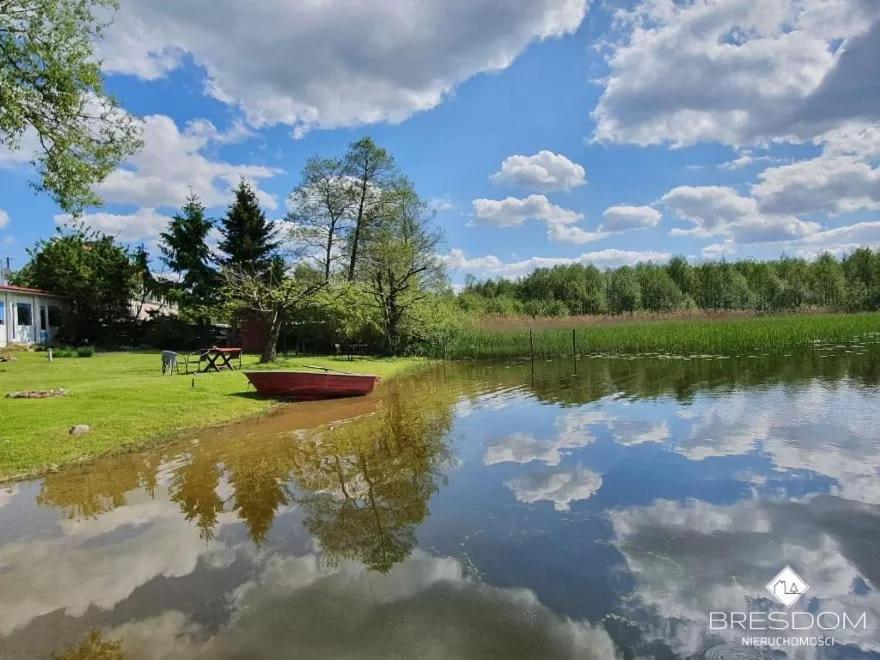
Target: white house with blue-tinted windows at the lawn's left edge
x=28 y=316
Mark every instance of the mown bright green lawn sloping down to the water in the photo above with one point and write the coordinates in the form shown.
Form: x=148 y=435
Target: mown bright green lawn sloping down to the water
x=127 y=403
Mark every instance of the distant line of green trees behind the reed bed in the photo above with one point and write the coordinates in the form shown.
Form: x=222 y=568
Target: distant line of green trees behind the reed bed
x=851 y=283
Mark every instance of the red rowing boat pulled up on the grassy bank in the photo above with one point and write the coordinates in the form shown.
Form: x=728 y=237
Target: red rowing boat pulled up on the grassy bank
x=305 y=385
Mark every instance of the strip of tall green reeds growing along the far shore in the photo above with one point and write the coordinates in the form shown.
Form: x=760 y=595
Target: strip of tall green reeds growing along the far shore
x=729 y=336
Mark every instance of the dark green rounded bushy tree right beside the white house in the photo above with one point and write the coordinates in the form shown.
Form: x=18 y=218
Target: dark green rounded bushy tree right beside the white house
x=98 y=277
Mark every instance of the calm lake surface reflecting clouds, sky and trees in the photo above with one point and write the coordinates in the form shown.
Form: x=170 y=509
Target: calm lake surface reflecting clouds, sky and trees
x=472 y=511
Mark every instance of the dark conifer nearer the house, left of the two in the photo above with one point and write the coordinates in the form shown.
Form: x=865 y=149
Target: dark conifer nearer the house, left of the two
x=185 y=250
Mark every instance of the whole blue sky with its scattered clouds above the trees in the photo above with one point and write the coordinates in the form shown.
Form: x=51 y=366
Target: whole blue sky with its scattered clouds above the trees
x=543 y=131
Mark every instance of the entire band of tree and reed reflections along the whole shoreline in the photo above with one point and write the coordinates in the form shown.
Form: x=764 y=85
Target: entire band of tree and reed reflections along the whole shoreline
x=364 y=484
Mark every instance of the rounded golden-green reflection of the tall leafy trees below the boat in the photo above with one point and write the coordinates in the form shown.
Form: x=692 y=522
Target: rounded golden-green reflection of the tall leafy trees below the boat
x=365 y=485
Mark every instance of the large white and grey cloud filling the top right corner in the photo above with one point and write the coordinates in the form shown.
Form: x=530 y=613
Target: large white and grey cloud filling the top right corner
x=739 y=71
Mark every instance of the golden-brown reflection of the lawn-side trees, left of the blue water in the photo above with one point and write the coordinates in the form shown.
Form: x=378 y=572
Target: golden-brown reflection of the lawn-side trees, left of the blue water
x=363 y=484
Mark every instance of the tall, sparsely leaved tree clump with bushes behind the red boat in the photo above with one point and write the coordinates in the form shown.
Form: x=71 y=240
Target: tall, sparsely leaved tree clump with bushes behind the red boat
x=360 y=219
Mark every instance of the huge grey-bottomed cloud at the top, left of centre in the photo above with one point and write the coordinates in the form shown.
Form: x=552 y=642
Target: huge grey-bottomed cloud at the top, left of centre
x=332 y=63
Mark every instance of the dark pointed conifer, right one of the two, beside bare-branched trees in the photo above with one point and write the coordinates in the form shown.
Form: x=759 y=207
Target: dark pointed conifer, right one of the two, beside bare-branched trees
x=249 y=239
